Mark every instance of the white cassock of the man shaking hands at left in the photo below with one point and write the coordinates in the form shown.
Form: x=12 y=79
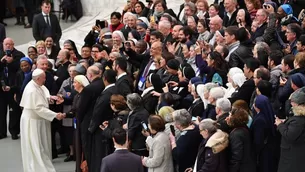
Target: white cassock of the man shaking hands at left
x=35 y=126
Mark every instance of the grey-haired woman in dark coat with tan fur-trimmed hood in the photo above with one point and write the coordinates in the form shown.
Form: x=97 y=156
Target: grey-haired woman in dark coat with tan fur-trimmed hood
x=212 y=153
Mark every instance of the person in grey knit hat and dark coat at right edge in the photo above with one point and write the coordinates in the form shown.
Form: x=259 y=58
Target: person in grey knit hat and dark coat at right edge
x=293 y=135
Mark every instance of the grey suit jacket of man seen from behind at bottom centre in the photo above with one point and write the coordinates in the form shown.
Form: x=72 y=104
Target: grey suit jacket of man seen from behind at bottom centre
x=122 y=160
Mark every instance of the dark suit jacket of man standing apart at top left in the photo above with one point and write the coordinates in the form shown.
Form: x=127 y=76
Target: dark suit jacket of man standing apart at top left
x=39 y=28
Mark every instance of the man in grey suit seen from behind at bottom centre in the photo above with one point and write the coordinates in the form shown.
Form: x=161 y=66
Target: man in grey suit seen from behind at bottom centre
x=121 y=159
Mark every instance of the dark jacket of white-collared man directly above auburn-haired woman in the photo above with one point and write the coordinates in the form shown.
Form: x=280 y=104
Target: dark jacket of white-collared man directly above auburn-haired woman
x=124 y=85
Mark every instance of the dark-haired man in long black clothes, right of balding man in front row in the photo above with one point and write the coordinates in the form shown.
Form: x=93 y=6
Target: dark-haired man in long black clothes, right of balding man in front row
x=100 y=145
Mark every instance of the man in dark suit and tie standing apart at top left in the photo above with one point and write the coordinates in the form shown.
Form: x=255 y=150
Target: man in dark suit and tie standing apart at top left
x=46 y=24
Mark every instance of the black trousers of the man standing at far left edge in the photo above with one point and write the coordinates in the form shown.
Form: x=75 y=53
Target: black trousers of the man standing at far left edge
x=7 y=99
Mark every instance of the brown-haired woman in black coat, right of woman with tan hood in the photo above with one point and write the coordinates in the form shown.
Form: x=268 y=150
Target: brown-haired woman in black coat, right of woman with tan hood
x=242 y=157
